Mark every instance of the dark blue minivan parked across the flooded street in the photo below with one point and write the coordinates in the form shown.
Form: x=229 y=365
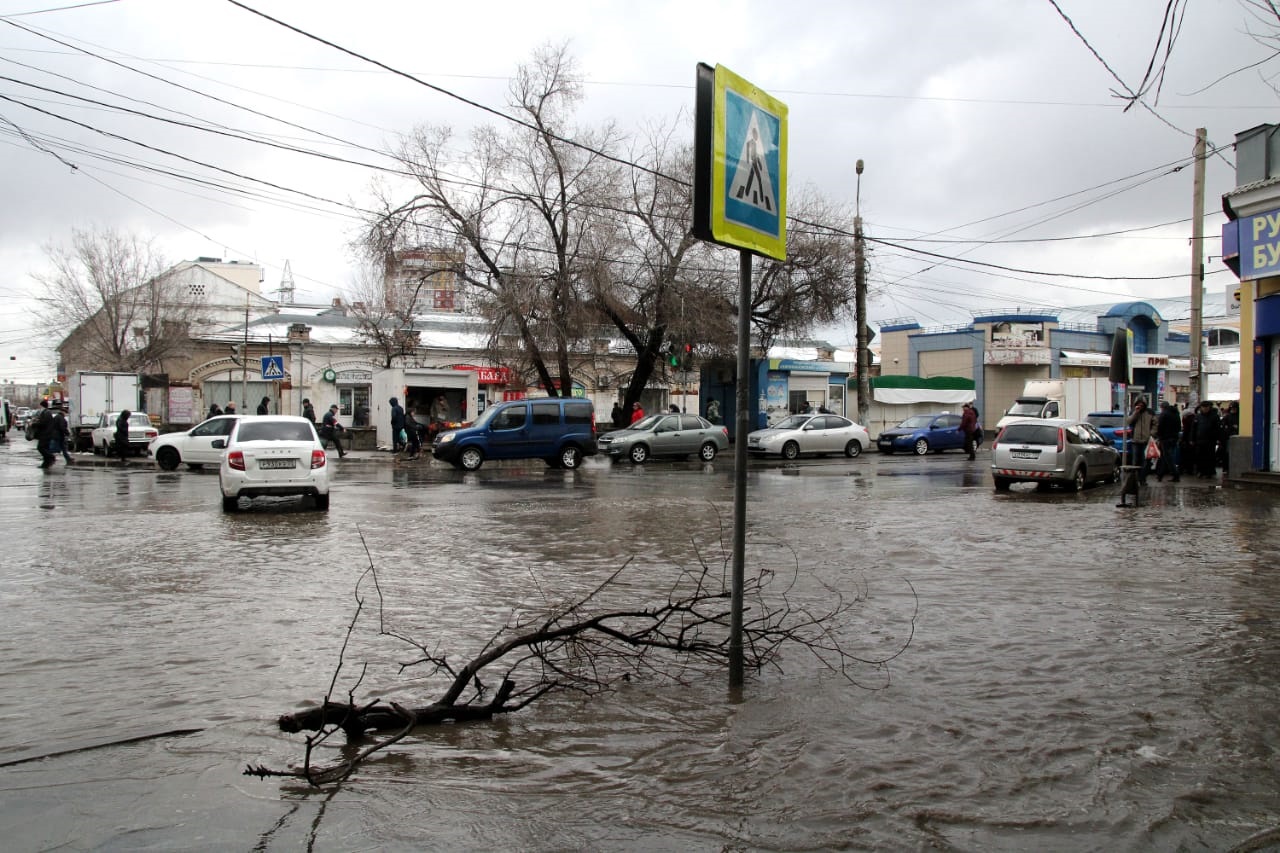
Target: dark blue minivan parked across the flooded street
x=560 y=431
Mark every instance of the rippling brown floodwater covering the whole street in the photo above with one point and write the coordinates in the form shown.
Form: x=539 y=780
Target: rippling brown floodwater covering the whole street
x=1081 y=677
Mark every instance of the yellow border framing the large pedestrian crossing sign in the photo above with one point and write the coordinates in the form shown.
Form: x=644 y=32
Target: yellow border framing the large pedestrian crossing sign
x=725 y=231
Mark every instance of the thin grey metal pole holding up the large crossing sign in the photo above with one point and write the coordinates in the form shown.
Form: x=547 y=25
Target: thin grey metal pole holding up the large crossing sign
x=744 y=393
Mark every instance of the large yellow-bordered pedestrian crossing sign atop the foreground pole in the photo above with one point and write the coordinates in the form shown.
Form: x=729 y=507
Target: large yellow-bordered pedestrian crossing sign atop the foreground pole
x=740 y=194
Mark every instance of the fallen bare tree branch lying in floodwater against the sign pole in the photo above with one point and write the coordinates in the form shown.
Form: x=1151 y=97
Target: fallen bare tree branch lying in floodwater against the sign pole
x=588 y=646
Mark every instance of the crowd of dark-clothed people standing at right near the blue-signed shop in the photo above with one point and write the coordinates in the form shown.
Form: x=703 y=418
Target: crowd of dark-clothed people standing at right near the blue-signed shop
x=1194 y=443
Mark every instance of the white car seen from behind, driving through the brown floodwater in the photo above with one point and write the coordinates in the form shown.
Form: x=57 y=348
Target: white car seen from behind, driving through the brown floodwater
x=277 y=455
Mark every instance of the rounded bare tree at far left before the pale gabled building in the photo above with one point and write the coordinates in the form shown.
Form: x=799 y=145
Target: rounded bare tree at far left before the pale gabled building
x=111 y=305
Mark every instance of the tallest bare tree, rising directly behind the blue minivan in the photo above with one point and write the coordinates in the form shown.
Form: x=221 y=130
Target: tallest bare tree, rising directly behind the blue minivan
x=523 y=203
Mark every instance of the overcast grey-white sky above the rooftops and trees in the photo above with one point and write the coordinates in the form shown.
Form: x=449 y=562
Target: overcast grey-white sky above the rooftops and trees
x=982 y=126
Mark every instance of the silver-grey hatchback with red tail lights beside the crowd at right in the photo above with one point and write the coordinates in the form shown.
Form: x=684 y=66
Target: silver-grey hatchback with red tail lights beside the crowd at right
x=1057 y=451
